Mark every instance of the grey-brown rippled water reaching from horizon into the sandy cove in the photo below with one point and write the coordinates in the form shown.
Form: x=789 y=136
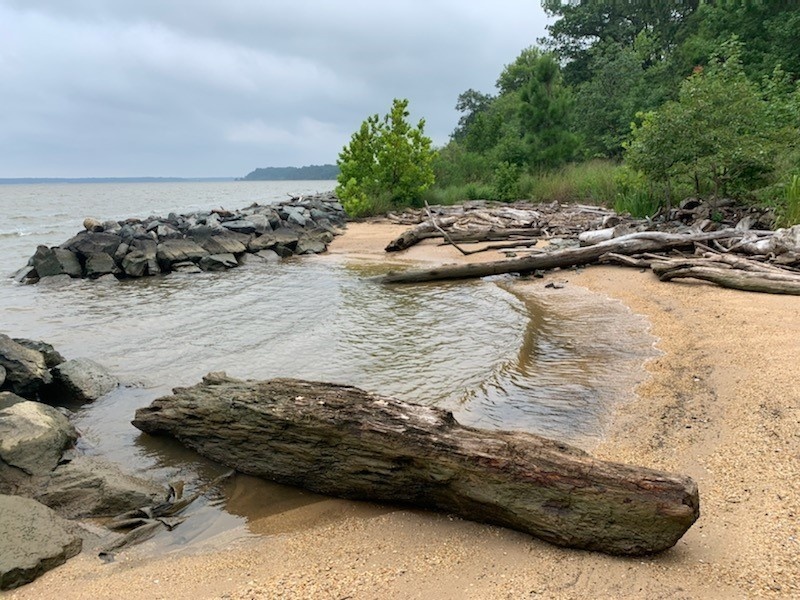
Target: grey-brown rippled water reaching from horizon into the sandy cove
x=500 y=353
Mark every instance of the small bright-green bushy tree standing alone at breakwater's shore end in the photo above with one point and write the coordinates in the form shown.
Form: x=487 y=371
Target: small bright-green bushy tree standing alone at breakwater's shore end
x=387 y=162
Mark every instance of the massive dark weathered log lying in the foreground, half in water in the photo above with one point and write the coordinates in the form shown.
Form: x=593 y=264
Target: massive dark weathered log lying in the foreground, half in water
x=342 y=441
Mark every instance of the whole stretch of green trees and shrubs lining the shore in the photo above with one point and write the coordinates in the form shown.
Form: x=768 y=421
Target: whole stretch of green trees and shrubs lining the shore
x=636 y=105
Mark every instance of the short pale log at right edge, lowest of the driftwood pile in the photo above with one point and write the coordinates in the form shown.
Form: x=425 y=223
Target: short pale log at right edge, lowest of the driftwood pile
x=734 y=278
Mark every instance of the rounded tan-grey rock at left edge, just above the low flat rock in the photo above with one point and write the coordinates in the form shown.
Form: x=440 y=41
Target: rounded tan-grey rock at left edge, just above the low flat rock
x=33 y=435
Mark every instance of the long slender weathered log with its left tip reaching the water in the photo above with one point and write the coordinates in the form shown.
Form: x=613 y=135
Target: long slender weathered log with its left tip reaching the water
x=634 y=243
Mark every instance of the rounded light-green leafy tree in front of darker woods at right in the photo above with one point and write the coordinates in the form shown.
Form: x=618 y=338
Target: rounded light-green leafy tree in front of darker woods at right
x=719 y=134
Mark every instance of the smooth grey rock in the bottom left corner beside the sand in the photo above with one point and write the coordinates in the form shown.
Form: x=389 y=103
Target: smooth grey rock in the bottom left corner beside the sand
x=33 y=540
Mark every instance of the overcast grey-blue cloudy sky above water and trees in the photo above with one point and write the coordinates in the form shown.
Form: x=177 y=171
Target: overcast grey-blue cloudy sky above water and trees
x=211 y=88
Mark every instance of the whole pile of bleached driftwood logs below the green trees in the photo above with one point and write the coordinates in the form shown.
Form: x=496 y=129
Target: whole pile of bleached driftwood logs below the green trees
x=734 y=256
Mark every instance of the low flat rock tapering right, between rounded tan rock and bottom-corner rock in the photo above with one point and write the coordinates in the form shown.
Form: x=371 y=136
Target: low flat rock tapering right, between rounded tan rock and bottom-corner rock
x=90 y=487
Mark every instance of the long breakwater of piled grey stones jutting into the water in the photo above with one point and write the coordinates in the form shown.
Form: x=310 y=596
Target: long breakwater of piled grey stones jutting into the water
x=212 y=240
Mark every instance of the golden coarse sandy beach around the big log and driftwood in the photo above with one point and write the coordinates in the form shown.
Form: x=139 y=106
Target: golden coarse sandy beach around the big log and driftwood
x=721 y=404
